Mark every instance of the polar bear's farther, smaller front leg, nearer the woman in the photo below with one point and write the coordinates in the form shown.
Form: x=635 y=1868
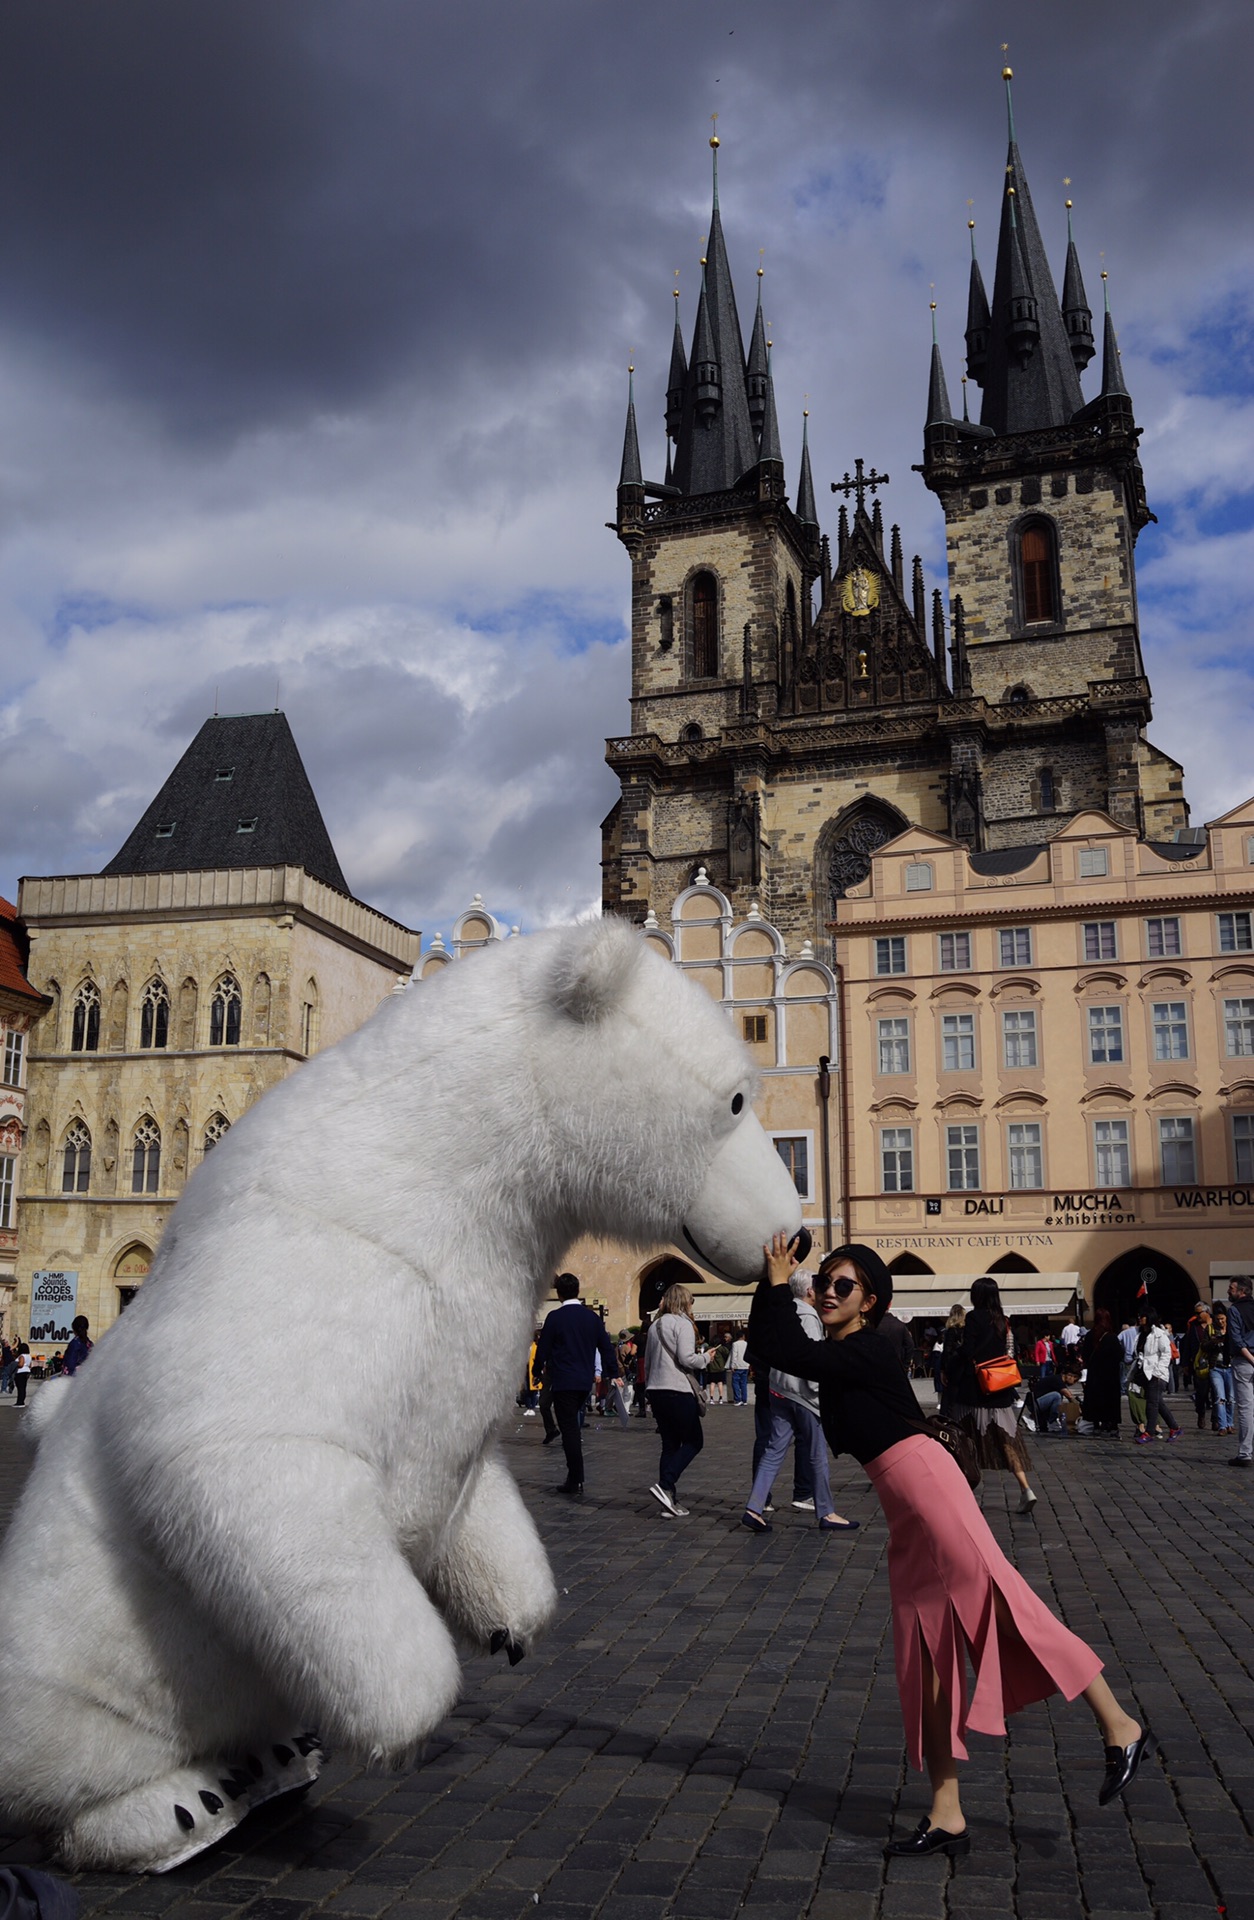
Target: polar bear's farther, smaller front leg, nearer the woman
x=493 y=1577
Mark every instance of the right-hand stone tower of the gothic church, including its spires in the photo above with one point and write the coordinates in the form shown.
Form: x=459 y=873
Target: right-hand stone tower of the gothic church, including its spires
x=1044 y=502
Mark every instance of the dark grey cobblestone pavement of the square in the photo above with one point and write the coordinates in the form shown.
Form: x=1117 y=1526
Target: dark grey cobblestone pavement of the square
x=713 y=1727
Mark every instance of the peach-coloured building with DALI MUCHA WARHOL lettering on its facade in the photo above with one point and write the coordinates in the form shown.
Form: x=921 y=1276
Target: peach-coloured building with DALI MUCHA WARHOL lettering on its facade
x=1049 y=1065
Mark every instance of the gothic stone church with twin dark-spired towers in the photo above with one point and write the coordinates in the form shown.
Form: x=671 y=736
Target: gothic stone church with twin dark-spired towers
x=800 y=704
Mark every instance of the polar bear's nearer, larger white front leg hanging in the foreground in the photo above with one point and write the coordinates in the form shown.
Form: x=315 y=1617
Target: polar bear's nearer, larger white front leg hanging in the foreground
x=291 y=1548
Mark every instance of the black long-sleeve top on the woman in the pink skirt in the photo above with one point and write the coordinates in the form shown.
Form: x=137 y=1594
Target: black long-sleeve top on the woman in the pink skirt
x=865 y=1401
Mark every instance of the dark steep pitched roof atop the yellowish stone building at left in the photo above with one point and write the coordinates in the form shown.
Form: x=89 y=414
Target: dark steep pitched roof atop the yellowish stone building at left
x=239 y=769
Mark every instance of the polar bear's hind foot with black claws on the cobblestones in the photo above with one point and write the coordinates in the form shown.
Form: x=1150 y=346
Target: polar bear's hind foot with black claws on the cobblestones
x=174 y=1819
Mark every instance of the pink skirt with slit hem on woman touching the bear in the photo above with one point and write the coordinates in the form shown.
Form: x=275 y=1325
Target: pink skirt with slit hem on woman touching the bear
x=946 y=1573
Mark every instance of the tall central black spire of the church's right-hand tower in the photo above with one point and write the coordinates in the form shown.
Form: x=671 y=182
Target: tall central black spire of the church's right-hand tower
x=1030 y=379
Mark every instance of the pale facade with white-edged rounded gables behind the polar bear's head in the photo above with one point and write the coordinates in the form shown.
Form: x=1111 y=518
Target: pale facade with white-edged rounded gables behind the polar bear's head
x=784 y=1009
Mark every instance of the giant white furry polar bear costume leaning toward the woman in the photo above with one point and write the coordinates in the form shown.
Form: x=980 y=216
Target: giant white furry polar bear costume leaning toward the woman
x=272 y=1500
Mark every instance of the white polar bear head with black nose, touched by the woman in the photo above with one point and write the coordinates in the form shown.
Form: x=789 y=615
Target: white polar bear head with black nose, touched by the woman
x=650 y=1101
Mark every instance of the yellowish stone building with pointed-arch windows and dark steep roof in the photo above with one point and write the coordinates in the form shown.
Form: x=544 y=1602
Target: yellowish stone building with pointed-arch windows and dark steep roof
x=176 y=997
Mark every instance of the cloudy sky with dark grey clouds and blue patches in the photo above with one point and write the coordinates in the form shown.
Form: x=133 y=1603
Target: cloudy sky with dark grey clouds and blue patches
x=314 y=337
